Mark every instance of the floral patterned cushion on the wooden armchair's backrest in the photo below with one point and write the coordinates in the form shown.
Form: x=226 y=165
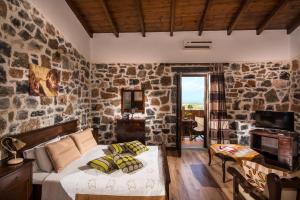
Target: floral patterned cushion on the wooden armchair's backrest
x=256 y=174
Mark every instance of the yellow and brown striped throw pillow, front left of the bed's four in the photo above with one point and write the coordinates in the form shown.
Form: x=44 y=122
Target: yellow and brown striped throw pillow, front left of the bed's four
x=104 y=164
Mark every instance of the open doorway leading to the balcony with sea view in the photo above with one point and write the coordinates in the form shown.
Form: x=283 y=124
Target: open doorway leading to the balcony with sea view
x=192 y=111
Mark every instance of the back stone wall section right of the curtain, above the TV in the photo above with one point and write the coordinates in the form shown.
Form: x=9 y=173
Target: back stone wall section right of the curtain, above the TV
x=256 y=86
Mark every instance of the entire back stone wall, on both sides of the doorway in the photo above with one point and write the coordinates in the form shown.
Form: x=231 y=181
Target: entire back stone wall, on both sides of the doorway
x=249 y=87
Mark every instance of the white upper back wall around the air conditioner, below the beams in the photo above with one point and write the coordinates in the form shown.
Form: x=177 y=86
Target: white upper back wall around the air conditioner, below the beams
x=160 y=47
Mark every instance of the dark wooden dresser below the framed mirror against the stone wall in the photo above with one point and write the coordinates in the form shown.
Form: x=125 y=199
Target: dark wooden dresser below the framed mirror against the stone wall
x=132 y=129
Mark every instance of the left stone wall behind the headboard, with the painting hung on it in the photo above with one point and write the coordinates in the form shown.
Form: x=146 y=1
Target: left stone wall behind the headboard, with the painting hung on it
x=26 y=37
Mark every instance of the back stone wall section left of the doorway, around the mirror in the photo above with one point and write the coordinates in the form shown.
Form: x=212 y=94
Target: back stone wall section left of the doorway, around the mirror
x=159 y=87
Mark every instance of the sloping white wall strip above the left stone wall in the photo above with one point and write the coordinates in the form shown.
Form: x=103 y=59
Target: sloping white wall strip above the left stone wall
x=61 y=16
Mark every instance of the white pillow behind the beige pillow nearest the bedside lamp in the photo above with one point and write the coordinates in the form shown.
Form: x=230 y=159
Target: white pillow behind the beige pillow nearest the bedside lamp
x=42 y=158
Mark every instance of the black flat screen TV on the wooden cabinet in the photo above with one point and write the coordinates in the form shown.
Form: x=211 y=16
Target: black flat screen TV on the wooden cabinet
x=274 y=120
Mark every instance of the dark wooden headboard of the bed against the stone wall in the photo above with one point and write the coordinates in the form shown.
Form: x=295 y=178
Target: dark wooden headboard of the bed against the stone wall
x=36 y=137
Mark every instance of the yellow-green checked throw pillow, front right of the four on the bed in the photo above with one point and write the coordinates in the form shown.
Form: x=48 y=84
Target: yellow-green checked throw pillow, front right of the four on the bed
x=127 y=163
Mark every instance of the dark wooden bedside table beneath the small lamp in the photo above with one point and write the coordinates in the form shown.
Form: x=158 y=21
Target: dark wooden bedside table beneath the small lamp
x=16 y=181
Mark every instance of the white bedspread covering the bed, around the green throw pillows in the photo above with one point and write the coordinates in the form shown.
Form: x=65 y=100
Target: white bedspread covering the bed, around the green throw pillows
x=77 y=177
